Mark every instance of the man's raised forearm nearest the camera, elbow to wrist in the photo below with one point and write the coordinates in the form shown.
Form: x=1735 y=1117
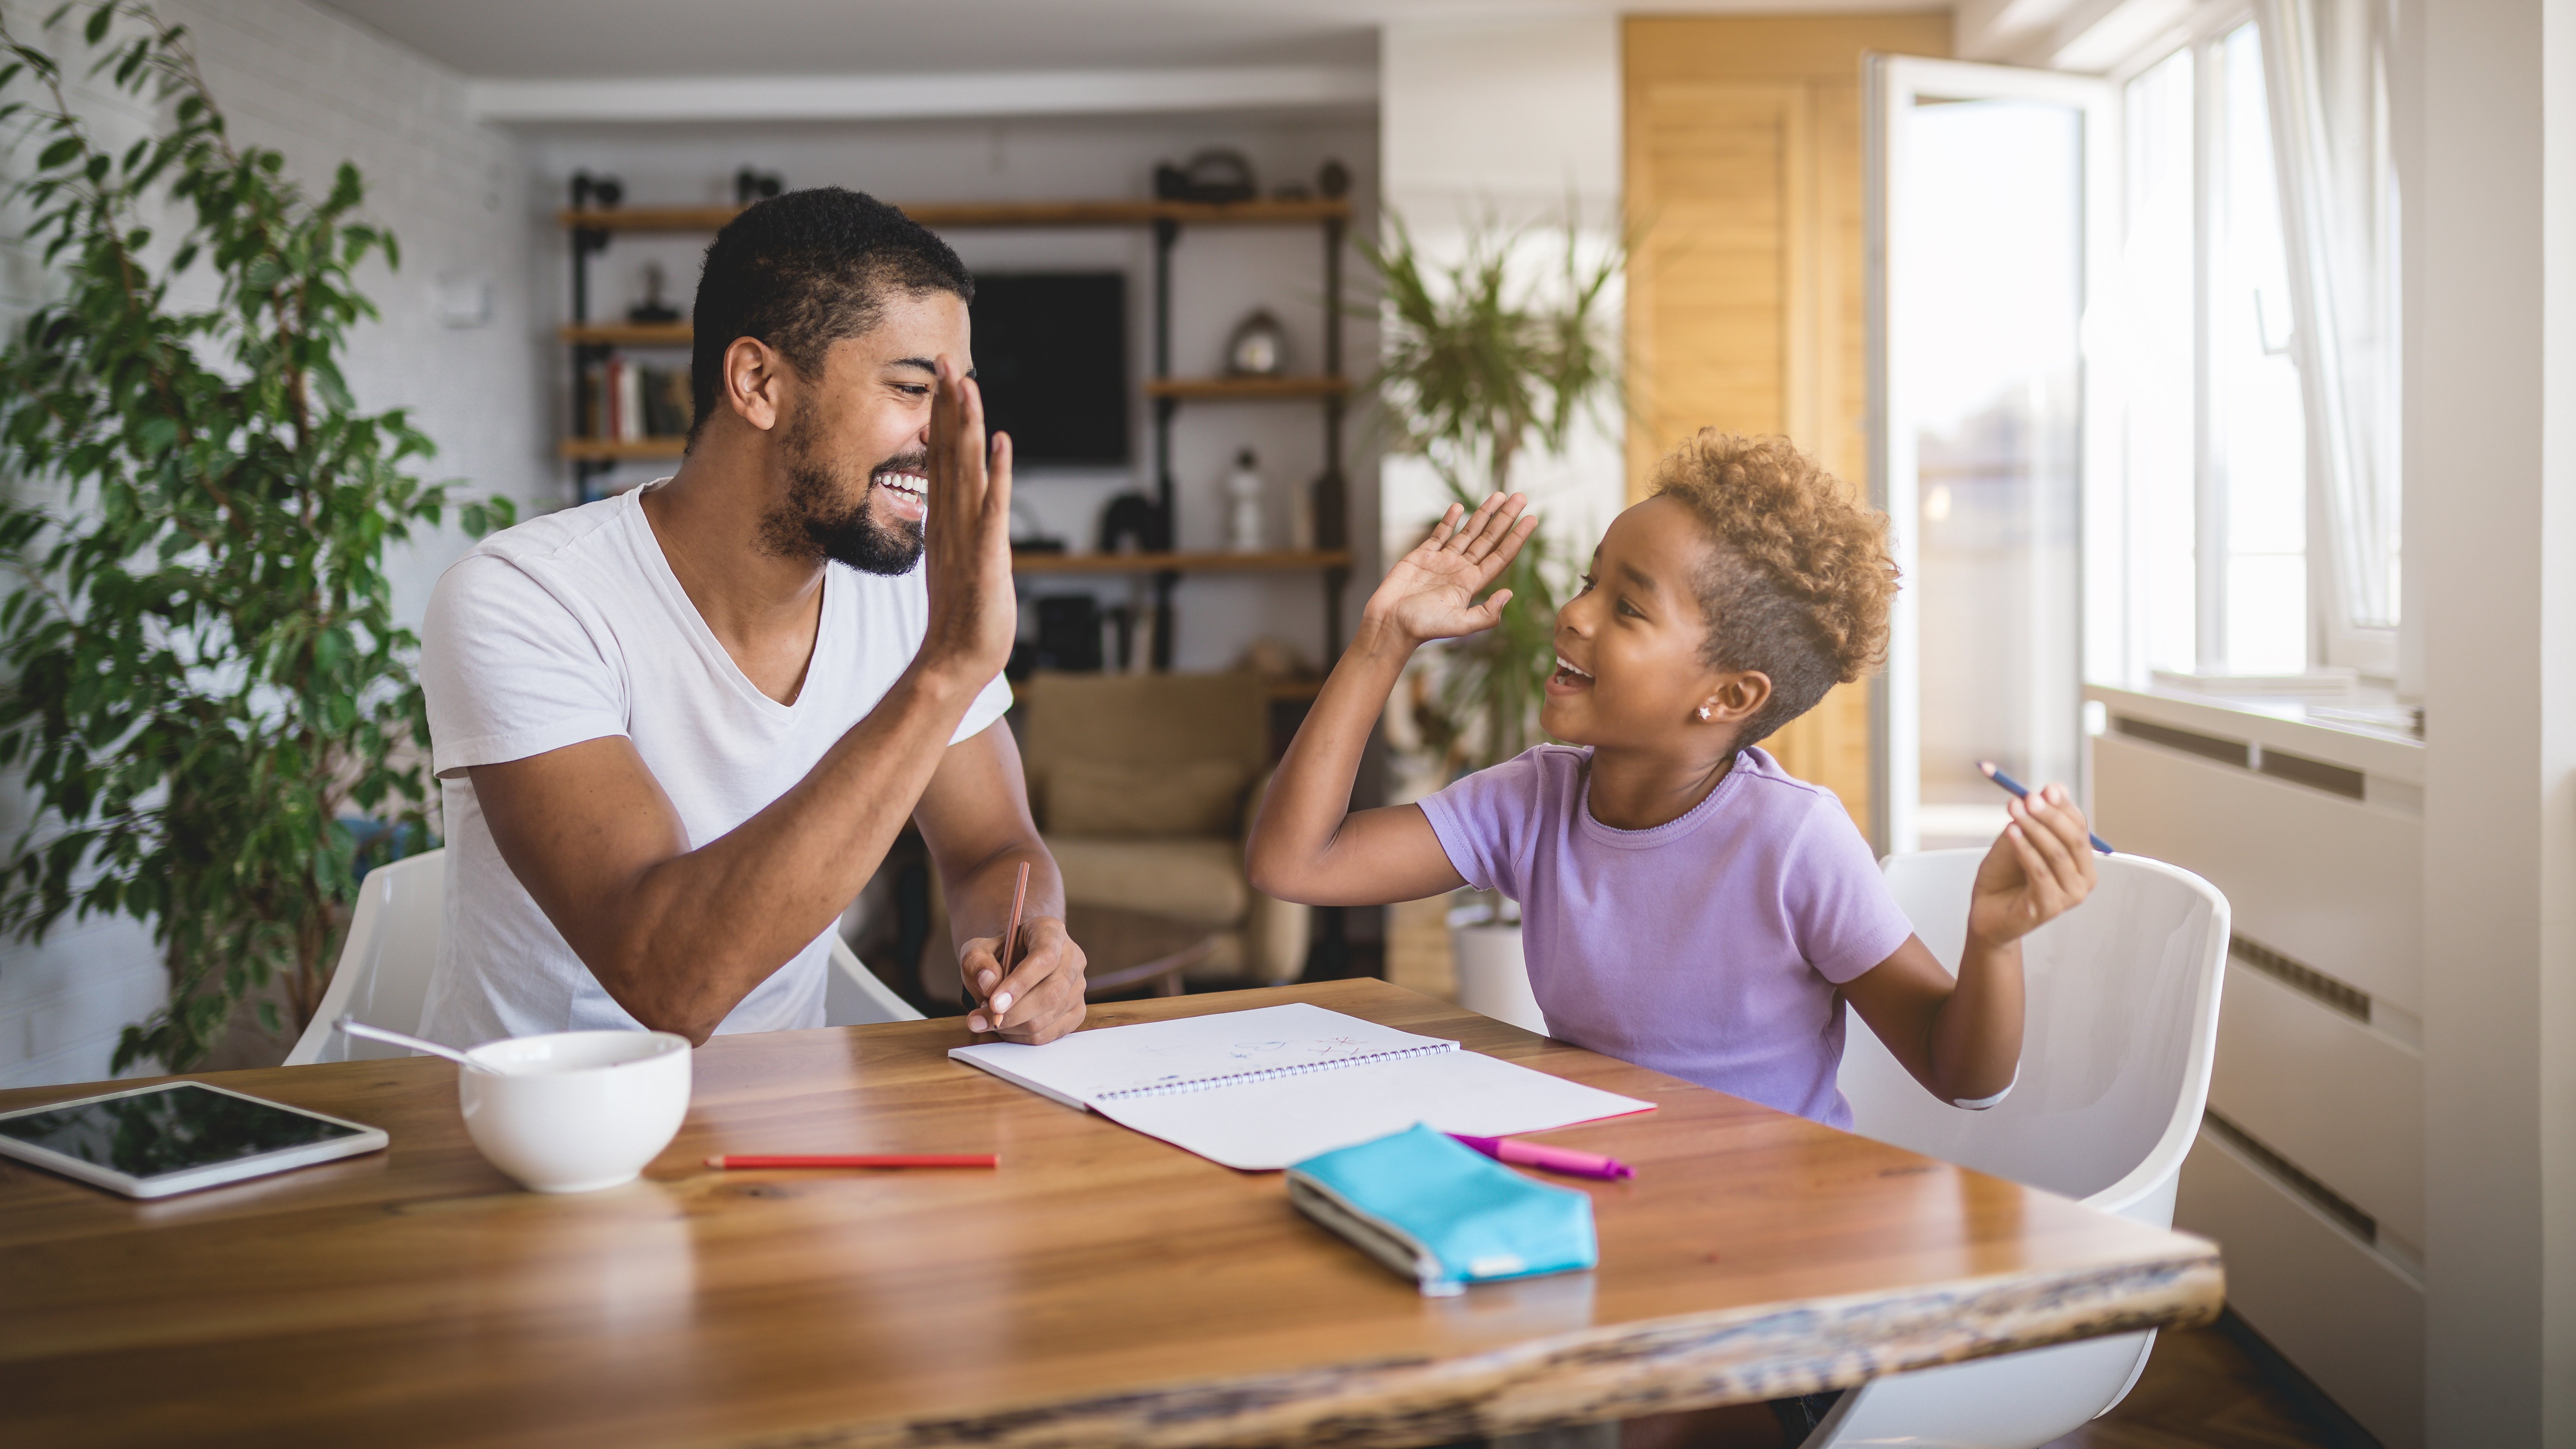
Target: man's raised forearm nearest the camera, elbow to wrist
x=707 y=927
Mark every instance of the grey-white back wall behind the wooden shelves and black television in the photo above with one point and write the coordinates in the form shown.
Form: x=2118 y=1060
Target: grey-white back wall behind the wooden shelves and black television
x=1220 y=275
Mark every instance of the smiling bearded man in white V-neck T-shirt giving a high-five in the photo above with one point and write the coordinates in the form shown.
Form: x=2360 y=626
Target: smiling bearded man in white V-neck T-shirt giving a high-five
x=679 y=728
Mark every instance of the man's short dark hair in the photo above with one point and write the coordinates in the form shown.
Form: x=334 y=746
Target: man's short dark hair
x=802 y=272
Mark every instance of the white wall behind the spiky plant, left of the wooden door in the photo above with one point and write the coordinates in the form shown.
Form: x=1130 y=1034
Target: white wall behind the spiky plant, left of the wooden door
x=1508 y=122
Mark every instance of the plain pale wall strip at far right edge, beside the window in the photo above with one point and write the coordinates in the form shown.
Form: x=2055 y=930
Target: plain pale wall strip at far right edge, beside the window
x=2492 y=517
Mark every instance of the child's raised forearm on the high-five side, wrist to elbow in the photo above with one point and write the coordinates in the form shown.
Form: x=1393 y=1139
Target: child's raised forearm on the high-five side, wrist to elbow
x=1310 y=795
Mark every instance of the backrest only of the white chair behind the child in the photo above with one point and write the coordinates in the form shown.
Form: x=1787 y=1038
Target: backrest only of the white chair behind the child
x=2121 y=1027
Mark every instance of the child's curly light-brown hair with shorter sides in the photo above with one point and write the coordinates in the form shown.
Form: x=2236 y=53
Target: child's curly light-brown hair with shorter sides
x=1799 y=579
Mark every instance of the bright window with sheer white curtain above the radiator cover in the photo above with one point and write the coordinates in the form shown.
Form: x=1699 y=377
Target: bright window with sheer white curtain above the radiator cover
x=2253 y=352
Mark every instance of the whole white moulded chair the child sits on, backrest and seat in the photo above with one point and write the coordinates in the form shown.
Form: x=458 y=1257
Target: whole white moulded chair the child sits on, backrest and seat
x=2121 y=1027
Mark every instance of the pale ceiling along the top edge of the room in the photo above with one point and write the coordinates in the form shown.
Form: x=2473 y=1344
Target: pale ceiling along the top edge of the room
x=576 y=40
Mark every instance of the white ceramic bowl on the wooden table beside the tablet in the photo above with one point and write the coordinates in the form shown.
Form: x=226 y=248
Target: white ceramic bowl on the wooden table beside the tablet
x=576 y=1110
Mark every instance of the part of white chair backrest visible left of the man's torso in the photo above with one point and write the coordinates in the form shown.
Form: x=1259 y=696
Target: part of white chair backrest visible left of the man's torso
x=385 y=966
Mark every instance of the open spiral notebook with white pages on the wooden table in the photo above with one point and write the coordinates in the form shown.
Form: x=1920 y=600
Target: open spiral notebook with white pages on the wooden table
x=1279 y=1084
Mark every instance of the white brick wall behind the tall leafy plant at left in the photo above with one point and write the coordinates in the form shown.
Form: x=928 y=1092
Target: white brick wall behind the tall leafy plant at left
x=457 y=195
